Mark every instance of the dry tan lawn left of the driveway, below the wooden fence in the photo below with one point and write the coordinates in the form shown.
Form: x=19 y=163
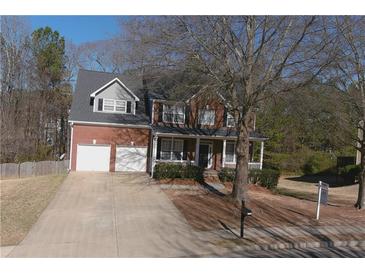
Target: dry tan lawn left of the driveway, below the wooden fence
x=22 y=202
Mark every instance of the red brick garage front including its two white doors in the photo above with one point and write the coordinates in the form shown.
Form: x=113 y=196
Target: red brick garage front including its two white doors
x=109 y=149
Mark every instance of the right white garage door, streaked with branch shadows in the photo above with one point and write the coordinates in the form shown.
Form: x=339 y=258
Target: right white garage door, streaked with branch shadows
x=131 y=159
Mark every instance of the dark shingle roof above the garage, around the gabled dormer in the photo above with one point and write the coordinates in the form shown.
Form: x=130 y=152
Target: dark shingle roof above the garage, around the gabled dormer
x=89 y=81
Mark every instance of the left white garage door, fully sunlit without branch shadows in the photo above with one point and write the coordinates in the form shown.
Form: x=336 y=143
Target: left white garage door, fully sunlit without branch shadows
x=93 y=157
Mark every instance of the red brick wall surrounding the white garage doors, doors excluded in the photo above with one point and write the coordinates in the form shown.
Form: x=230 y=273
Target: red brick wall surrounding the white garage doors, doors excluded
x=86 y=134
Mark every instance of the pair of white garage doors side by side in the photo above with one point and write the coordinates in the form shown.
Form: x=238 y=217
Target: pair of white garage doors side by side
x=92 y=157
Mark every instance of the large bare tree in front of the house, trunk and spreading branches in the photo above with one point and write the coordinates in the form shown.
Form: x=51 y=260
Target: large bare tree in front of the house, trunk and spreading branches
x=245 y=58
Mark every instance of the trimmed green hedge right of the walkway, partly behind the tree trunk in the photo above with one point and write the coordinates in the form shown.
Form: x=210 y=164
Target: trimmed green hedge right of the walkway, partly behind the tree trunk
x=268 y=178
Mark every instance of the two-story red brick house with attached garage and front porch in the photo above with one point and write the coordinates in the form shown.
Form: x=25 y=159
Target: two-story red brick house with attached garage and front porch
x=118 y=125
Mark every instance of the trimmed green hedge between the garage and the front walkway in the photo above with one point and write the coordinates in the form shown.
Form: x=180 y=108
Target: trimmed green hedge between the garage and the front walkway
x=173 y=171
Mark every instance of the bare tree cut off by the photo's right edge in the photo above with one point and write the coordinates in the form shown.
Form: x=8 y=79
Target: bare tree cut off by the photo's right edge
x=348 y=75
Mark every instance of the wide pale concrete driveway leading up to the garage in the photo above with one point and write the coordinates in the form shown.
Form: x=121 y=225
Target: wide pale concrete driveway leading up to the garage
x=110 y=215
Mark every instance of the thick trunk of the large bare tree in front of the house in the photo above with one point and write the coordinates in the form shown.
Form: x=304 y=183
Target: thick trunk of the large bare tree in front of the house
x=239 y=191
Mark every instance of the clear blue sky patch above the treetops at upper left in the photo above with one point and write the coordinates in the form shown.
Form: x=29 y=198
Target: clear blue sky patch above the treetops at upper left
x=79 y=29
